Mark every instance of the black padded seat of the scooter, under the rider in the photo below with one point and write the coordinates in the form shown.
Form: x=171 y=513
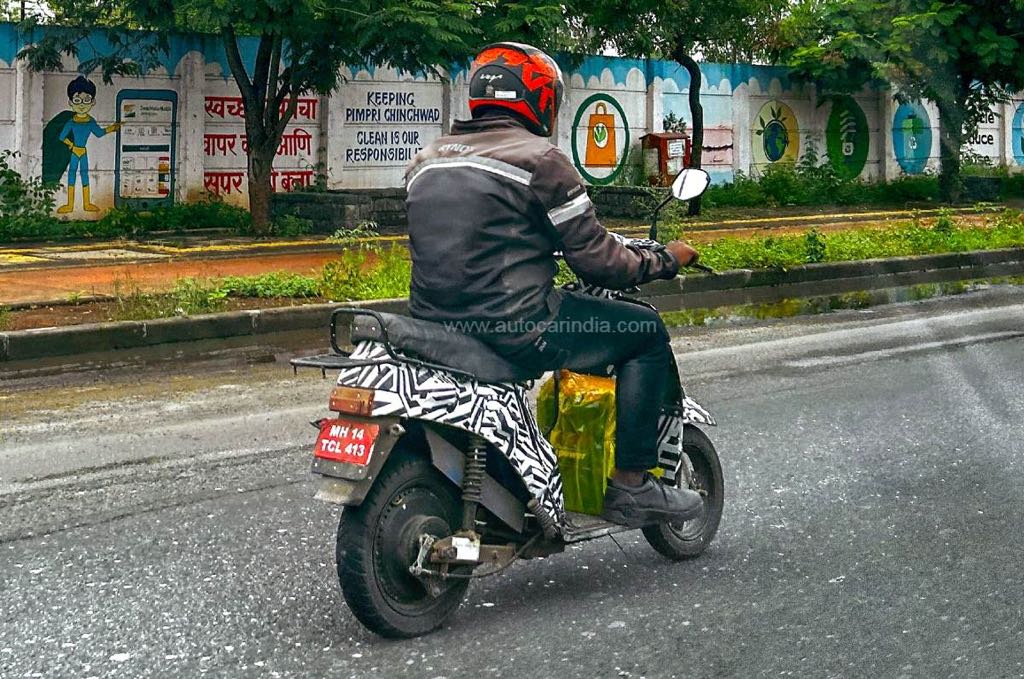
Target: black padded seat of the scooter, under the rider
x=436 y=344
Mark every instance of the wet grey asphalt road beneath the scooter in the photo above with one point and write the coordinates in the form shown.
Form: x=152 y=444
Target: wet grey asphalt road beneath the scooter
x=162 y=524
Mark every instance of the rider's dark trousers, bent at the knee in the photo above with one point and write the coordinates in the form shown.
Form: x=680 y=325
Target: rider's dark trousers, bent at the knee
x=591 y=334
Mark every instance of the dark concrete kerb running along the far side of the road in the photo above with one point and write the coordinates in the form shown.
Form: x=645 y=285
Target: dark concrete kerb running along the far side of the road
x=693 y=292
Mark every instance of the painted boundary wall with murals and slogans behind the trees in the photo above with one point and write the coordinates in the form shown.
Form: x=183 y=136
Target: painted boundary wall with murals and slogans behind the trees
x=178 y=134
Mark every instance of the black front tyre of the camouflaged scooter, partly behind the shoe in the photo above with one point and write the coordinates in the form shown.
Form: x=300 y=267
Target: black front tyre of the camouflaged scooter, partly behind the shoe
x=688 y=540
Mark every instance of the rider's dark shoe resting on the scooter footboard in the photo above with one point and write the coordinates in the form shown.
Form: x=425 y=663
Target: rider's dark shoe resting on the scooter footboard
x=652 y=502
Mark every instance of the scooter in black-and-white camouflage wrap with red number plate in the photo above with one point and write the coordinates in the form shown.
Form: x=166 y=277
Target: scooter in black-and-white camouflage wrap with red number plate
x=445 y=476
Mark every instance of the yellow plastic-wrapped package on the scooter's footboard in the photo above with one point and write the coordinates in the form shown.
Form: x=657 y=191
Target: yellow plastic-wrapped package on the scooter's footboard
x=583 y=436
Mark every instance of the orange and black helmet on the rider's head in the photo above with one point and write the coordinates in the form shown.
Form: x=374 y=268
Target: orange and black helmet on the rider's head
x=521 y=79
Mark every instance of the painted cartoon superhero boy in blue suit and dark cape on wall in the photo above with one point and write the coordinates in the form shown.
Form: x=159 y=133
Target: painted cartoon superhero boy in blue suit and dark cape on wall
x=76 y=129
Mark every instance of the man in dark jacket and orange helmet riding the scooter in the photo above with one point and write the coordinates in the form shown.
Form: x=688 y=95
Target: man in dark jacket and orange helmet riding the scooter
x=490 y=205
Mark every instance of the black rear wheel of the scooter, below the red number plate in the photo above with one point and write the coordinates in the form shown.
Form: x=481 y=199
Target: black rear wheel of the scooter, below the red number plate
x=379 y=540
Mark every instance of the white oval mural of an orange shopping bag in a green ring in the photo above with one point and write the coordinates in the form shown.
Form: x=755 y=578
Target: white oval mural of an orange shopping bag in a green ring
x=601 y=139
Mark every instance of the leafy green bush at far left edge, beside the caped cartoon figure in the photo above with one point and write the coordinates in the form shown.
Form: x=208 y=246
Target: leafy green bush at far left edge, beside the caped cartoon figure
x=26 y=204
